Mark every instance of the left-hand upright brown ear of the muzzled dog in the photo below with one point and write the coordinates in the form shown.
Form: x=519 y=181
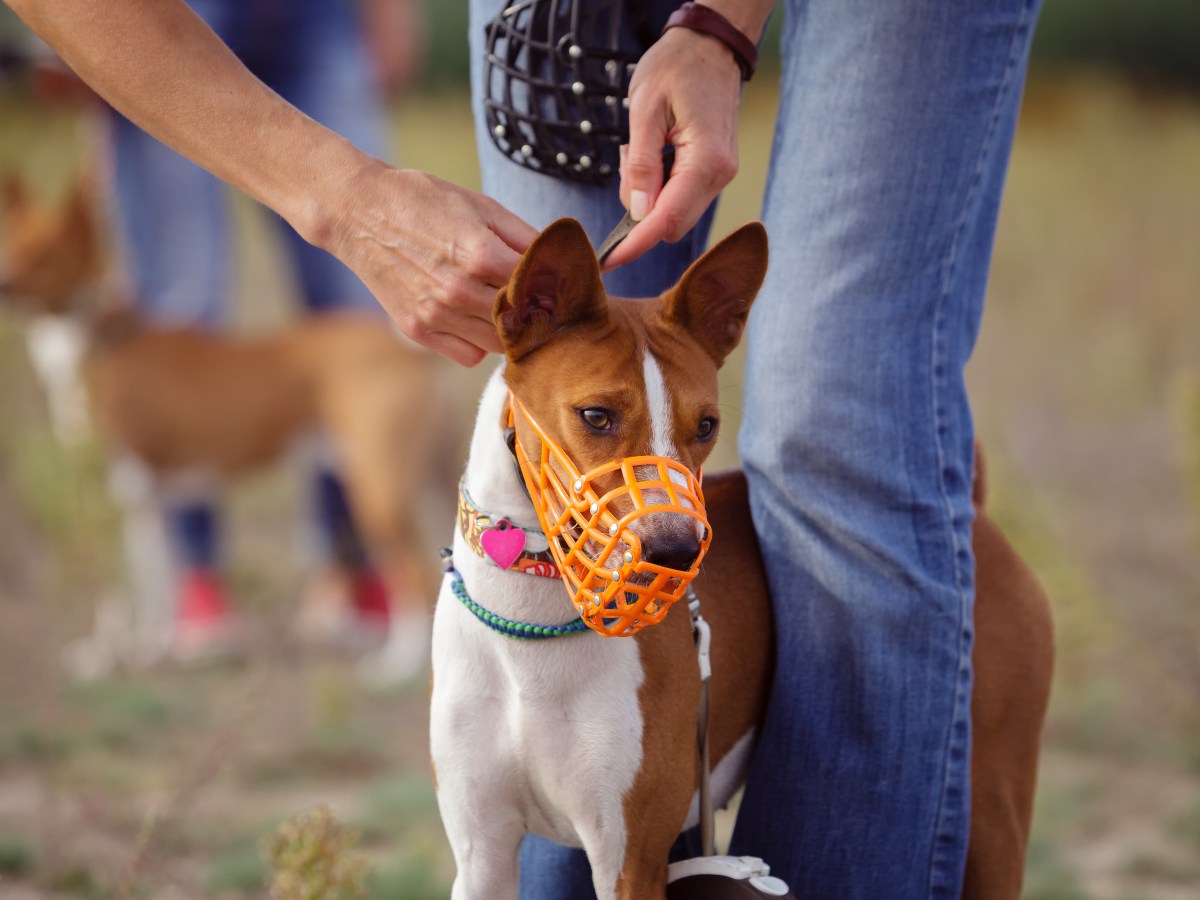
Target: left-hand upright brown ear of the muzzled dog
x=556 y=286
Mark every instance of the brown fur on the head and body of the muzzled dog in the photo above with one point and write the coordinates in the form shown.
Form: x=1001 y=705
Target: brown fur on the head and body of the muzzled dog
x=554 y=319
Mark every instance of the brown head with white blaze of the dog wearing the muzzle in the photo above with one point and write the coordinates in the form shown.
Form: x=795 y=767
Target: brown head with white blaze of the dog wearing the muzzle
x=610 y=380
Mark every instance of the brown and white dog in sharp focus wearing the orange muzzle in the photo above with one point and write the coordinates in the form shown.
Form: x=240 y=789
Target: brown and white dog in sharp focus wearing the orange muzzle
x=590 y=741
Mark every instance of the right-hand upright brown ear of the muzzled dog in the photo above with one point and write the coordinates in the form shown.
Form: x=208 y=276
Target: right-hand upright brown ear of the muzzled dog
x=713 y=298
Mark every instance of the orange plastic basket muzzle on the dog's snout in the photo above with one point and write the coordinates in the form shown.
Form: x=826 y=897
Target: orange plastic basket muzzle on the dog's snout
x=599 y=554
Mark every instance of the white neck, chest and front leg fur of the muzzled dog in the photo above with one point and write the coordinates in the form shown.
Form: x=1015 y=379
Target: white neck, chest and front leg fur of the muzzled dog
x=526 y=736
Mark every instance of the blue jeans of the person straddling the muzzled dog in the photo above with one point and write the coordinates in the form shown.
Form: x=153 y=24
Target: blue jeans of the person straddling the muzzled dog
x=887 y=167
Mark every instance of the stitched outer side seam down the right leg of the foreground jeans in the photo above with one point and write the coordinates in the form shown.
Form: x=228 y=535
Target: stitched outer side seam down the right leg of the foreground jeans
x=937 y=862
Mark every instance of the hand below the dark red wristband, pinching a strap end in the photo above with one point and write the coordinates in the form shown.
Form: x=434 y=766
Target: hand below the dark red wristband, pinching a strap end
x=686 y=92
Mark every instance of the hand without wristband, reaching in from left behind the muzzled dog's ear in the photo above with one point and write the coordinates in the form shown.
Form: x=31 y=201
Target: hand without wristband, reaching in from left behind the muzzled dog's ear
x=434 y=254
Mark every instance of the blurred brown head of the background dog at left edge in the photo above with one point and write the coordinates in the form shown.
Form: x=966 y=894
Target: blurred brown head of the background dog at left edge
x=50 y=254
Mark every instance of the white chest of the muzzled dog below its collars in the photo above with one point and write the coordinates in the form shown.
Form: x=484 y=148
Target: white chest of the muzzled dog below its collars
x=551 y=729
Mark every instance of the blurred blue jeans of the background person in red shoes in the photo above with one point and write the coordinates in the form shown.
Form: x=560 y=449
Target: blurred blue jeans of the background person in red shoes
x=176 y=223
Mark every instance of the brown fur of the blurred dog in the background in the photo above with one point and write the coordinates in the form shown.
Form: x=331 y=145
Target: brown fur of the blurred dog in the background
x=188 y=399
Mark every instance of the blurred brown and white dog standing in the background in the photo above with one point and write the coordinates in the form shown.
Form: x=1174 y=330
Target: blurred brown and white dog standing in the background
x=181 y=405
